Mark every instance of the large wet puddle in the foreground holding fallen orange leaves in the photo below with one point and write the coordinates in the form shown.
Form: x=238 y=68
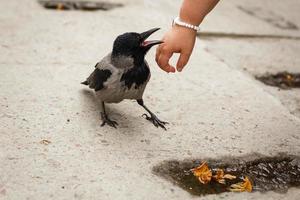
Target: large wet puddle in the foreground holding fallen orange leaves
x=265 y=173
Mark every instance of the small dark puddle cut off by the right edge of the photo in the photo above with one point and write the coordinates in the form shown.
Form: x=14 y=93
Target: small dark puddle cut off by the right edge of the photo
x=284 y=80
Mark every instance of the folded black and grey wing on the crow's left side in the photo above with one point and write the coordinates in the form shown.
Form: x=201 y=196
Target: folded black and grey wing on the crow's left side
x=103 y=70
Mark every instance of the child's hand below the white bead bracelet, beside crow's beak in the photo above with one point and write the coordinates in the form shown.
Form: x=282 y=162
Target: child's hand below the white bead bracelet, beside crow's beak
x=177 y=40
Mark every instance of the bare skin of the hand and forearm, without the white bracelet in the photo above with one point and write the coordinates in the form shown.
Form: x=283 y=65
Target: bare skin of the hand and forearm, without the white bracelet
x=181 y=39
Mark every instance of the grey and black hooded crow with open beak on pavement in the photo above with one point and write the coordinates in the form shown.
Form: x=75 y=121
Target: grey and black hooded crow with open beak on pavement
x=124 y=74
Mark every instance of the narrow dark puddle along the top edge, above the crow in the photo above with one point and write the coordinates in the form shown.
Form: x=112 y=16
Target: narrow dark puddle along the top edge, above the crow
x=79 y=5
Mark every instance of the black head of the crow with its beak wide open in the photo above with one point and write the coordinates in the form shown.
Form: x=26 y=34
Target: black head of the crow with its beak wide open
x=134 y=44
